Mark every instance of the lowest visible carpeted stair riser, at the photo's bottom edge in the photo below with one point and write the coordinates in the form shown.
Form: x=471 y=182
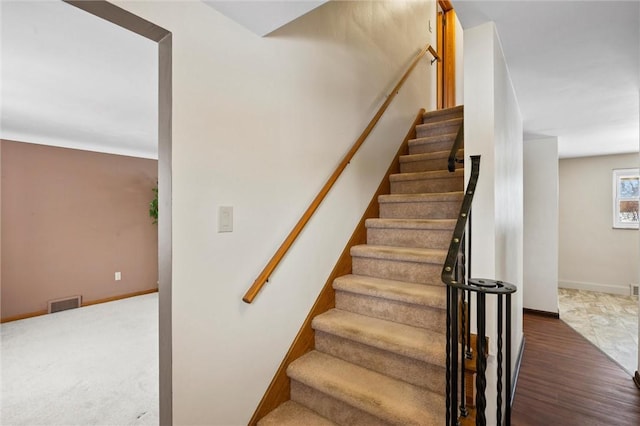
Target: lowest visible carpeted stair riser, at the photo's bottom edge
x=332 y=408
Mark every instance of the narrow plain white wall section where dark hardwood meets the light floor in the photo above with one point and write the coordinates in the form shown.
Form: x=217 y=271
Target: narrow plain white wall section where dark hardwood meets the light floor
x=540 y=283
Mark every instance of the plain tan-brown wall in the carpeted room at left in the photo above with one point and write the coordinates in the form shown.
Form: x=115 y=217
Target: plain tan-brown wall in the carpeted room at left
x=70 y=220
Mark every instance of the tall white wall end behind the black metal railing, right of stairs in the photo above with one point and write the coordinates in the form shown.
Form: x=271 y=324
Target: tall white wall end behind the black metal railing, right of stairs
x=493 y=129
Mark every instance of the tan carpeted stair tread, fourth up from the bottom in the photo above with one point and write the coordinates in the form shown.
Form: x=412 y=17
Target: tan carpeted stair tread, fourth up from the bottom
x=401 y=291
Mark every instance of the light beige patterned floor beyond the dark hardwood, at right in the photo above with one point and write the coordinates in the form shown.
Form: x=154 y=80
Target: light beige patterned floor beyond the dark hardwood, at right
x=608 y=321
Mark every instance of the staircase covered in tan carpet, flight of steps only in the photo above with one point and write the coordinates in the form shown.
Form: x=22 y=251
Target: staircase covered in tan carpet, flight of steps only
x=379 y=356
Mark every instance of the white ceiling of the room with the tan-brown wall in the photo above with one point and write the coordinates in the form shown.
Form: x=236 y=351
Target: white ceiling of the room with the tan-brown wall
x=71 y=79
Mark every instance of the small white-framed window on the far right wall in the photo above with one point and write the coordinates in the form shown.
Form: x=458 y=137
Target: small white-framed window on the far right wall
x=626 y=193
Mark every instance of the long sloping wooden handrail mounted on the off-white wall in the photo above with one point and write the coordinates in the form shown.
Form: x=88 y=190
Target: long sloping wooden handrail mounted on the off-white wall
x=295 y=232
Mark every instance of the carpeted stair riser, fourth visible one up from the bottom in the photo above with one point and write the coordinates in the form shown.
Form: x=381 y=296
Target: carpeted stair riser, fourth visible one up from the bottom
x=422 y=273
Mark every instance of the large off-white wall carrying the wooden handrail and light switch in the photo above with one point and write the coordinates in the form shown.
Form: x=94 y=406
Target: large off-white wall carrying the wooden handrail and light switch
x=259 y=124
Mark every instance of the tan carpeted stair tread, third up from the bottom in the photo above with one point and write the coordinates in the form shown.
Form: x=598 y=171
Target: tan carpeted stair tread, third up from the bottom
x=413 y=342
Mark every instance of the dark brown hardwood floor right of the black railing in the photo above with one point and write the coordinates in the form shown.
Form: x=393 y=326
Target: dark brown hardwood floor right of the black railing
x=564 y=380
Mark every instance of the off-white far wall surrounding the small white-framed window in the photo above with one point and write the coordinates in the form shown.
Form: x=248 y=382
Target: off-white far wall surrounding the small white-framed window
x=593 y=255
